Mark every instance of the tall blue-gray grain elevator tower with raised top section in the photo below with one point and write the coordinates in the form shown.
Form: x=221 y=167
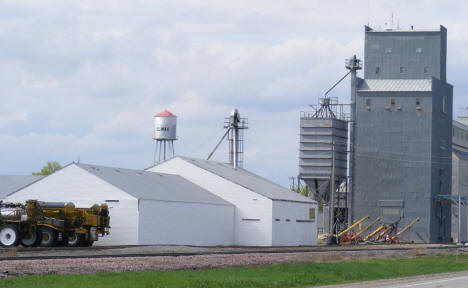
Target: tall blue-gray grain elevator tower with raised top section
x=403 y=146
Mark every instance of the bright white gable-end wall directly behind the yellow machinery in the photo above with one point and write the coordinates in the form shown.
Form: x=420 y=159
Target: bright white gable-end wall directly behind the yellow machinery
x=73 y=184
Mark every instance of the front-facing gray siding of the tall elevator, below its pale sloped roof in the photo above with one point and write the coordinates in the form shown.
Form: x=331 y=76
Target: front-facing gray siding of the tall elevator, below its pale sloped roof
x=393 y=159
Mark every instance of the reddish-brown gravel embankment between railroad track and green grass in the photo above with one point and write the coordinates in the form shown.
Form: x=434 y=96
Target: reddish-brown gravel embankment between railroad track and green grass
x=167 y=263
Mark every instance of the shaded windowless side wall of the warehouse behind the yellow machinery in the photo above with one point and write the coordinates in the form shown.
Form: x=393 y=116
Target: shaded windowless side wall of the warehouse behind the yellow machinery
x=184 y=223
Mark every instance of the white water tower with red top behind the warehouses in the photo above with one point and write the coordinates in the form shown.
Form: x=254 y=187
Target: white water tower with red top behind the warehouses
x=165 y=125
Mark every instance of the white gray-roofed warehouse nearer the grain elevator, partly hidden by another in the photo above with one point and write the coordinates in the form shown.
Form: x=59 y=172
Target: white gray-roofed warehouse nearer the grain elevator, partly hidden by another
x=266 y=213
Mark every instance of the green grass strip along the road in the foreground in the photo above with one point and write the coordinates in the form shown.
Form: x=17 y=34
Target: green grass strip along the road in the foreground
x=284 y=275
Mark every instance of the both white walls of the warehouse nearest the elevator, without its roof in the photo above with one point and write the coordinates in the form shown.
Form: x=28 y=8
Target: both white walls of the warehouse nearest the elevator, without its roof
x=254 y=215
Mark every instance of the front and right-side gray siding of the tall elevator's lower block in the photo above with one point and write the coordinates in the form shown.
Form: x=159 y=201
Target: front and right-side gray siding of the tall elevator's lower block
x=398 y=156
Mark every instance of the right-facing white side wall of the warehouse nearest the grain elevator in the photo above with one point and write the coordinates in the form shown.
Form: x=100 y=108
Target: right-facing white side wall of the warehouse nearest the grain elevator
x=289 y=226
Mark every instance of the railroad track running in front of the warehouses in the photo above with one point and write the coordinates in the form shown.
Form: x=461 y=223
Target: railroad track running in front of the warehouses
x=110 y=251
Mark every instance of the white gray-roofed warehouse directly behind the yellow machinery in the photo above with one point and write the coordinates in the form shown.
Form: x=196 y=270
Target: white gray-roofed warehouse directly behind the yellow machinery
x=145 y=207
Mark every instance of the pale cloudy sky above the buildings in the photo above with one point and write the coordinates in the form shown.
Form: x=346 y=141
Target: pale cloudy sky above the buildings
x=84 y=78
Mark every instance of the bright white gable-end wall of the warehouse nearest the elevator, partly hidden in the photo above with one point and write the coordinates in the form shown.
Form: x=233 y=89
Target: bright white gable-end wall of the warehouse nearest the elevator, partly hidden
x=253 y=225
